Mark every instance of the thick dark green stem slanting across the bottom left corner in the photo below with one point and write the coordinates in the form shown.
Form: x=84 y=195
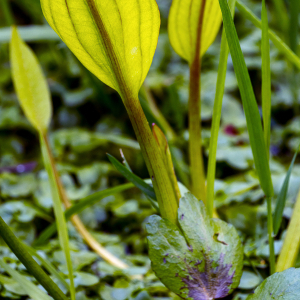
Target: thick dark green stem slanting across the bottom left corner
x=19 y=249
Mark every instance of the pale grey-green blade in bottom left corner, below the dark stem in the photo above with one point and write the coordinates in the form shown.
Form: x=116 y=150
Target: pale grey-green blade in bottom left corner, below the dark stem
x=32 y=290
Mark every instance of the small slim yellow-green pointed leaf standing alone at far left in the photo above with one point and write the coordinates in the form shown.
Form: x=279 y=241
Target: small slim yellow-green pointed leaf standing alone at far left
x=30 y=83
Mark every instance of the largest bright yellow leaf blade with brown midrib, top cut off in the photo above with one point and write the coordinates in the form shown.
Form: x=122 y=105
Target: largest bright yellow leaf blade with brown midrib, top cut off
x=115 y=40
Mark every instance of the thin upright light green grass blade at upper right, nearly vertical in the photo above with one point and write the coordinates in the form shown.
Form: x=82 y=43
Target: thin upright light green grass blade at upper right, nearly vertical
x=266 y=76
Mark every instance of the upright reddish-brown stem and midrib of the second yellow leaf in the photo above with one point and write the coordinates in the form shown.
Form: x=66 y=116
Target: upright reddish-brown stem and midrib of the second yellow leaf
x=194 y=112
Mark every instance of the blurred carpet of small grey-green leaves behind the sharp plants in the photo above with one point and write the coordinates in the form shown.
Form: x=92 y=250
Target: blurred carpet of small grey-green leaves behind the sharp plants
x=89 y=120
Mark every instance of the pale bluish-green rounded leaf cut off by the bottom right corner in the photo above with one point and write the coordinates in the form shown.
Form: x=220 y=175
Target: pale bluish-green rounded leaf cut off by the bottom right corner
x=284 y=285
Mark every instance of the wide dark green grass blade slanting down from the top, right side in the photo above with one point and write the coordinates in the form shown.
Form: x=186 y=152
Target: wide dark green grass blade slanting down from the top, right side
x=249 y=102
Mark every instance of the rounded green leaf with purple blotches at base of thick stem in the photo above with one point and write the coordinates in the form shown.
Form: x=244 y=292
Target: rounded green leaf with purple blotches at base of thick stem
x=203 y=261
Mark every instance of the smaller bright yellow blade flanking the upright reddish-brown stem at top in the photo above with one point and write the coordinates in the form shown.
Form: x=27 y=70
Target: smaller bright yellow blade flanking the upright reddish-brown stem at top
x=185 y=22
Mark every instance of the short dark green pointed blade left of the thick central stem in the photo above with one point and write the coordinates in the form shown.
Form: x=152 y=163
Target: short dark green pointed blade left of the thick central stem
x=137 y=181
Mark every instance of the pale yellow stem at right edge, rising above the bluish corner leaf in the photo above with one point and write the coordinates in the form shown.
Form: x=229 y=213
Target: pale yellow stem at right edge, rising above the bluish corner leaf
x=291 y=244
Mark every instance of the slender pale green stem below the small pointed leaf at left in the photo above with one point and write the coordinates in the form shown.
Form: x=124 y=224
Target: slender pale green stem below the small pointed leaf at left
x=58 y=210
